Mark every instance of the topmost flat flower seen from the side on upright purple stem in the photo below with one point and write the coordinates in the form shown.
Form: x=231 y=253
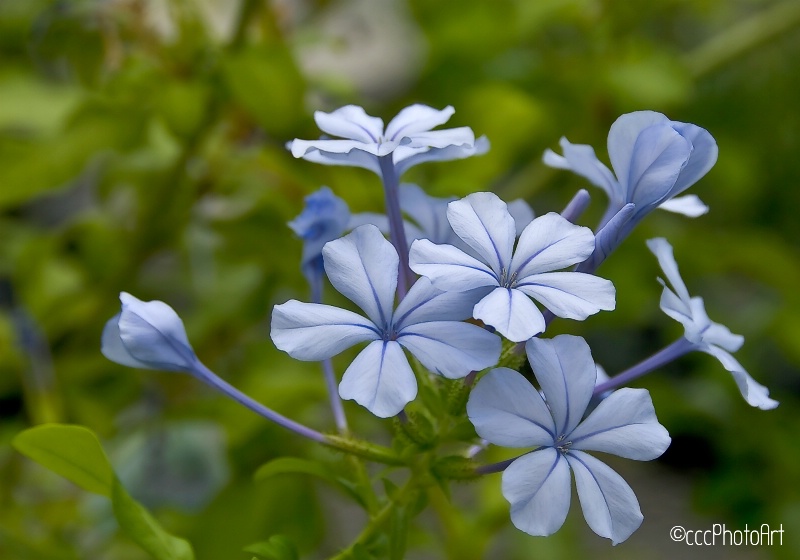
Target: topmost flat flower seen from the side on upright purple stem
x=408 y=138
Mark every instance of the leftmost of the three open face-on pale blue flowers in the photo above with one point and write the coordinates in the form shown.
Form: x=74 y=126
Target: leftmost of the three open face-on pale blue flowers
x=363 y=266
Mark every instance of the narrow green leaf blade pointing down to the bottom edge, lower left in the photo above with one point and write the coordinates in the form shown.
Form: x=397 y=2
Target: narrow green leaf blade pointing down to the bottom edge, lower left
x=140 y=526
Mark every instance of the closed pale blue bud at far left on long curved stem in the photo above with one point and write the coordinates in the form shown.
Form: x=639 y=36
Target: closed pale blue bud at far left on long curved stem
x=148 y=335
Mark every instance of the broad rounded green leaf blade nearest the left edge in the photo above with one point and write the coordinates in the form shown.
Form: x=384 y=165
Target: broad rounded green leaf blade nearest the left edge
x=74 y=452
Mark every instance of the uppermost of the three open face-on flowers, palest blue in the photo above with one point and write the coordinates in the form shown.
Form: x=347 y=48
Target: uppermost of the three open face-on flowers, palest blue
x=548 y=243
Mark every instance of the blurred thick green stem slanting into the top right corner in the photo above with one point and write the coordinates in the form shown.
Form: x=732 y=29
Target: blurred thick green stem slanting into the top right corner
x=743 y=37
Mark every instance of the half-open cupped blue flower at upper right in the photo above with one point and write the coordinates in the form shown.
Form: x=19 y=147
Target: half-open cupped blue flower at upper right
x=654 y=158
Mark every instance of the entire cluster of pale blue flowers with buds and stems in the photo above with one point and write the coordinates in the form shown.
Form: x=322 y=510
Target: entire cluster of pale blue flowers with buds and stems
x=454 y=309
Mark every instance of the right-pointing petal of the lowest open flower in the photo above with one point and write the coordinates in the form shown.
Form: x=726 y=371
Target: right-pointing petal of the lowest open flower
x=623 y=424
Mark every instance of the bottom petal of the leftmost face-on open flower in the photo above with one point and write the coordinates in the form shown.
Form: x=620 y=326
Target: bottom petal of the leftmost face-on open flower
x=380 y=379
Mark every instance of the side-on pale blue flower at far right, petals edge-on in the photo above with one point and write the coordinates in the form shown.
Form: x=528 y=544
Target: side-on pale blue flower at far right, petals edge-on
x=701 y=333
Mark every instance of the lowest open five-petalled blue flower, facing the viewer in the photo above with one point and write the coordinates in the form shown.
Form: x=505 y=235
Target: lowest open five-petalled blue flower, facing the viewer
x=507 y=410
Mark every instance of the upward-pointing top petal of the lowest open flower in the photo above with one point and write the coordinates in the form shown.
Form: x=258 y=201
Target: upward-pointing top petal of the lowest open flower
x=564 y=368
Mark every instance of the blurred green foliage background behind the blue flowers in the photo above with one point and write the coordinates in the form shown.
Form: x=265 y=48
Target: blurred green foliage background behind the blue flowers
x=142 y=149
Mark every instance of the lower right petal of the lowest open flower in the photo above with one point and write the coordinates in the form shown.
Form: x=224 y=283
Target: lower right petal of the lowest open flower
x=609 y=505
